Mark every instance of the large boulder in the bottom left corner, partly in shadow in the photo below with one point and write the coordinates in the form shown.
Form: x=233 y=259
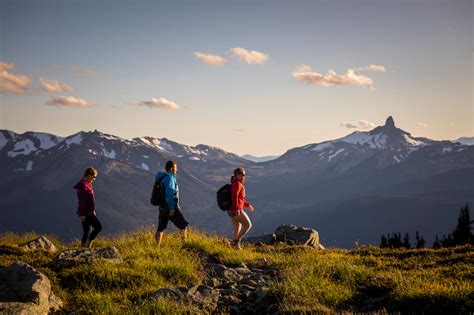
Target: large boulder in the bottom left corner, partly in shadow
x=24 y=290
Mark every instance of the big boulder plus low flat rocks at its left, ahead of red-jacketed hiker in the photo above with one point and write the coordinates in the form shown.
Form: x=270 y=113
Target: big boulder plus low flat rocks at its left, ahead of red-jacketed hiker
x=290 y=234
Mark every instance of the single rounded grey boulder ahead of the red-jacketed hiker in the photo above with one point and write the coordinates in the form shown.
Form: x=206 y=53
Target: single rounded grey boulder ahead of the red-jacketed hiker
x=292 y=234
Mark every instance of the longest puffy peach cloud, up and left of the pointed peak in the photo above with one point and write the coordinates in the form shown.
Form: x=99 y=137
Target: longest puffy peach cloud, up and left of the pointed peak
x=304 y=73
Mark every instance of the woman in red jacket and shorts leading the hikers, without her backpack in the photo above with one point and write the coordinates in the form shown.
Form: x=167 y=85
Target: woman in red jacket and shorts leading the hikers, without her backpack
x=240 y=219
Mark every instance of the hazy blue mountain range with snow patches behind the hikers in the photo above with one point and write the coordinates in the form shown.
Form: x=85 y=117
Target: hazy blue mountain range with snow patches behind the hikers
x=350 y=189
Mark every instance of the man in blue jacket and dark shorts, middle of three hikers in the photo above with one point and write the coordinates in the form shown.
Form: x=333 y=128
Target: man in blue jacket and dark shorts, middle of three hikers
x=169 y=209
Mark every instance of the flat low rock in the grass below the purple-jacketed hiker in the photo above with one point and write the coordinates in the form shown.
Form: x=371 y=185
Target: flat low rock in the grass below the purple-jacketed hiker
x=73 y=257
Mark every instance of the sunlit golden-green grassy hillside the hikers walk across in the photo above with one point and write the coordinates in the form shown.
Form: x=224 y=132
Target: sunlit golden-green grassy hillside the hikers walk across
x=365 y=279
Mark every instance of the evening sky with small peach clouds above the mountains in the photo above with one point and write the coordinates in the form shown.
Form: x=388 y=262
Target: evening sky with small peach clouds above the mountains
x=250 y=77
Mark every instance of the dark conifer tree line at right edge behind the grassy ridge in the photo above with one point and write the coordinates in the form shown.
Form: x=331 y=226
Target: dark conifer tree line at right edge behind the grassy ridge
x=461 y=235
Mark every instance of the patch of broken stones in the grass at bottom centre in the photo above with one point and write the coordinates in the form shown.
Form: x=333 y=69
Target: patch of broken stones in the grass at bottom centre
x=239 y=290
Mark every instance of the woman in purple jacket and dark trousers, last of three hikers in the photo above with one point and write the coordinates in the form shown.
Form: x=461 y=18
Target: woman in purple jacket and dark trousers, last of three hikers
x=86 y=207
